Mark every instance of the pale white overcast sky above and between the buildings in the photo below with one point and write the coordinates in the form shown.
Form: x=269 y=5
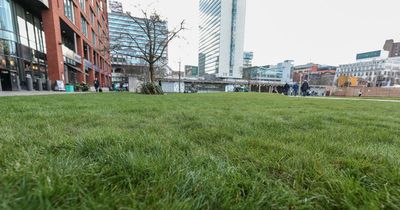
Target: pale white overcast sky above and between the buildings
x=320 y=31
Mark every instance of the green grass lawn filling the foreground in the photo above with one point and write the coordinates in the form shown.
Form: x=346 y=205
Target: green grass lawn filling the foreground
x=200 y=151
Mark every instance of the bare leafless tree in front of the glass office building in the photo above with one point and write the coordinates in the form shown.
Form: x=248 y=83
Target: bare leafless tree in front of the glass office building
x=157 y=38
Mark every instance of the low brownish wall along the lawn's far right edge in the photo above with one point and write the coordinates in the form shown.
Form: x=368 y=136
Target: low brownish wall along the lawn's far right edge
x=367 y=92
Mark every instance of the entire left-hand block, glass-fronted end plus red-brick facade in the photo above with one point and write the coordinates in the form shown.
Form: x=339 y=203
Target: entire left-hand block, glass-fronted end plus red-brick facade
x=53 y=40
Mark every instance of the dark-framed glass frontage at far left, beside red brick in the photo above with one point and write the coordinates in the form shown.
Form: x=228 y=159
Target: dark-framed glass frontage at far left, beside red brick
x=22 y=51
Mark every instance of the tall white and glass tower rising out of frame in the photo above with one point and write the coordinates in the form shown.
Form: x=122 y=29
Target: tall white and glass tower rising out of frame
x=222 y=25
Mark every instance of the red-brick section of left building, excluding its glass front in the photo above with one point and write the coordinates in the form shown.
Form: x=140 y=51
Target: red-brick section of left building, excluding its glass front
x=77 y=41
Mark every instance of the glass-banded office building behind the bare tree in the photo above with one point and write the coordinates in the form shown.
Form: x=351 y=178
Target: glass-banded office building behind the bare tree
x=128 y=40
